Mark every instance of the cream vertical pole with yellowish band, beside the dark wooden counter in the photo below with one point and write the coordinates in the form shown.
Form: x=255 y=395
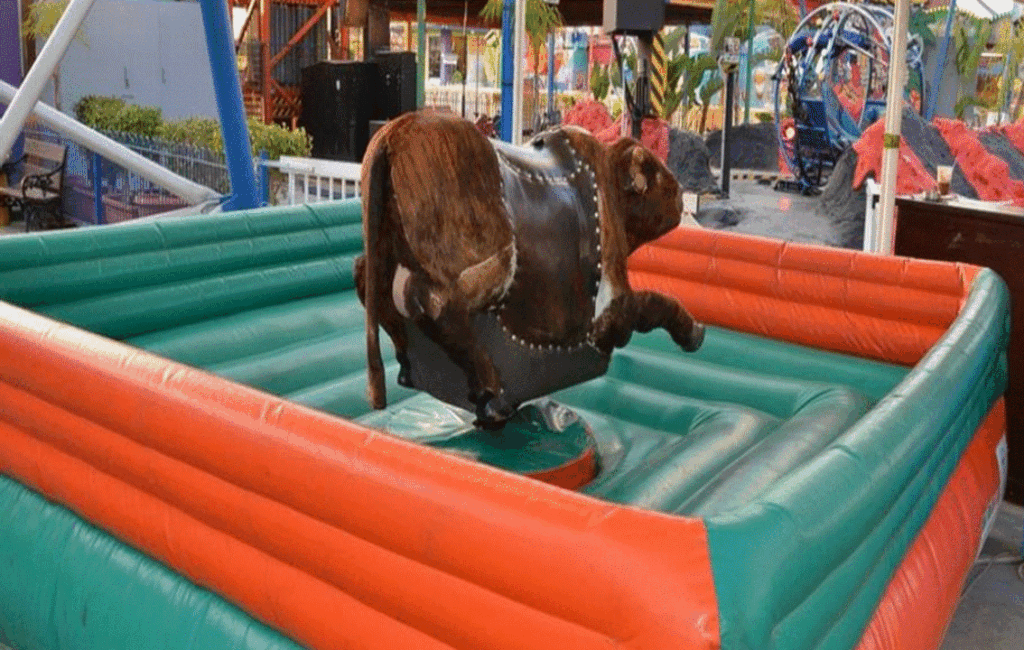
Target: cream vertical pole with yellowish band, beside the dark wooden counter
x=891 y=139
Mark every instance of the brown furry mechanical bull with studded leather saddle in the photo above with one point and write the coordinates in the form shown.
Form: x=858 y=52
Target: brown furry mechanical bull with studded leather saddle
x=499 y=272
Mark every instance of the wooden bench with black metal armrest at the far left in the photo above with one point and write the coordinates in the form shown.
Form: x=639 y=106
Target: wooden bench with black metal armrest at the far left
x=40 y=192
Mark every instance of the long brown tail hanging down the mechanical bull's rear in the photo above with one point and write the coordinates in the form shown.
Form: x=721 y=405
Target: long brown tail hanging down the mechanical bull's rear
x=376 y=170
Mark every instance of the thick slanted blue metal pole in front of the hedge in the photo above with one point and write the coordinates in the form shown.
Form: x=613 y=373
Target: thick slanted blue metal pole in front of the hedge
x=238 y=152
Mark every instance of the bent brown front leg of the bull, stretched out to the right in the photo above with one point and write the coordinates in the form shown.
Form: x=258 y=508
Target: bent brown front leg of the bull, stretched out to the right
x=644 y=312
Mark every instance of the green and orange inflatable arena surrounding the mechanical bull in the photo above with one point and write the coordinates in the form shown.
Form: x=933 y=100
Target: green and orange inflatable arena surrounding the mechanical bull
x=189 y=460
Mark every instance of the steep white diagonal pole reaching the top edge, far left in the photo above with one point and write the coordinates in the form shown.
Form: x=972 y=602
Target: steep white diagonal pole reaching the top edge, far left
x=32 y=88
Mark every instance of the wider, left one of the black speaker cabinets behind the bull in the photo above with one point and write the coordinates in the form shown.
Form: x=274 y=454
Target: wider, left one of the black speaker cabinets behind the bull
x=338 y=101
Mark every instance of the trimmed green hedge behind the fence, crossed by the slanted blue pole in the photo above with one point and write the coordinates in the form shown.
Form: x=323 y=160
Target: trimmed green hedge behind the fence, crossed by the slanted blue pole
x=111 y=114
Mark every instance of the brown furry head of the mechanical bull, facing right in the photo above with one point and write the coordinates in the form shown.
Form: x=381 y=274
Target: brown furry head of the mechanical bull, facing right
x=650 y=197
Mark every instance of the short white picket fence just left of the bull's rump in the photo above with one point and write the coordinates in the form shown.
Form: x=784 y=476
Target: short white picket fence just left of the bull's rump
x=316 y=181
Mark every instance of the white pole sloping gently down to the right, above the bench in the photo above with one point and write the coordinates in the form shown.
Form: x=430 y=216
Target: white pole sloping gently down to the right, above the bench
x=115 y=152
